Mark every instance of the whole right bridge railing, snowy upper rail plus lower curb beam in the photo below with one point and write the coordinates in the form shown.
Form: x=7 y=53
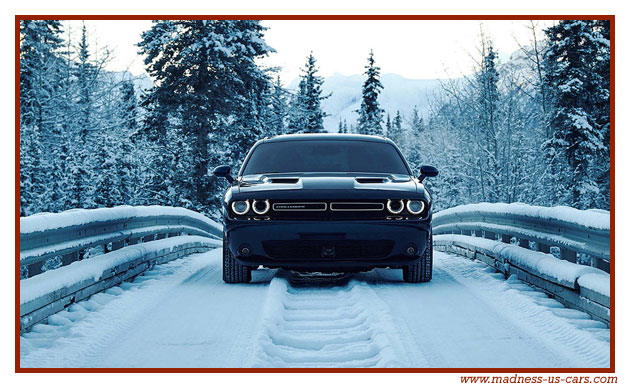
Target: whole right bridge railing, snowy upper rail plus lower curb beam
x=545 y=247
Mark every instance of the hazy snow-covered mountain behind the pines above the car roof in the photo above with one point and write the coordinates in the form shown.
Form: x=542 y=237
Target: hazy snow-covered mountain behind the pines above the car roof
x=399 y=93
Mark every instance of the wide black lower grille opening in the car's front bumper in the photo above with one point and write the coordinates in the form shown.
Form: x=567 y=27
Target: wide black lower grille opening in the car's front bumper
x=333 y=249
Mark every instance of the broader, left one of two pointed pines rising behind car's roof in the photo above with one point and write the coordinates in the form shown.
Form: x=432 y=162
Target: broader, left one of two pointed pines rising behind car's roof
x=305 y=112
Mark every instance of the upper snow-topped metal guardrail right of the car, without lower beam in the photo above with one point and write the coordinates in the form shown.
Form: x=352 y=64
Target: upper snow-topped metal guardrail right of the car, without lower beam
x=575 y=232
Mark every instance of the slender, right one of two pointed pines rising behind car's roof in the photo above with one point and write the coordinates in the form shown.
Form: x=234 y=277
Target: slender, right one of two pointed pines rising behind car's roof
x=370 y=114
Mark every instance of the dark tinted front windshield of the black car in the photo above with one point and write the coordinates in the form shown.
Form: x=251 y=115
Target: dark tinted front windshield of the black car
x=325 y=156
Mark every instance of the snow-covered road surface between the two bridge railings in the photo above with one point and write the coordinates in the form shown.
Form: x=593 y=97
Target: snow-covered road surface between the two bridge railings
x=182 y=315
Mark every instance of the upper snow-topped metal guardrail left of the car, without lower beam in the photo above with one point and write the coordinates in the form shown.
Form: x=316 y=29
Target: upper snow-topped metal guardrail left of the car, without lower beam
x=50 y=240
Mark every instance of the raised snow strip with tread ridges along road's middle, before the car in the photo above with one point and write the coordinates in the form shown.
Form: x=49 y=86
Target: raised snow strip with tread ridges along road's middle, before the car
x=339 y=326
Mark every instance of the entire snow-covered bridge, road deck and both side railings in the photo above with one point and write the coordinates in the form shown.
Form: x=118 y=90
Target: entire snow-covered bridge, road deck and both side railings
x=513 y=286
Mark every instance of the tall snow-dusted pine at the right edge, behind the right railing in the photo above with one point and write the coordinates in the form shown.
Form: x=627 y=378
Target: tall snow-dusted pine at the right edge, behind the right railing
x=576 y=65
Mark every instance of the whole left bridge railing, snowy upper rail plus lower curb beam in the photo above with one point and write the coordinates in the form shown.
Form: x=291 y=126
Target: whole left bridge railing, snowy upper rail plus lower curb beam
x=134 y=239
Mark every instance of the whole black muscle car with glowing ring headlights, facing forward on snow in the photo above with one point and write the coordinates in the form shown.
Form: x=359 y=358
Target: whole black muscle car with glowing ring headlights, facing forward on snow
x=326 y=203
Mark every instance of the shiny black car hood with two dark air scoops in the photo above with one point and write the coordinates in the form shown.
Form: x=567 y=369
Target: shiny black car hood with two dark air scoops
x=308 y=182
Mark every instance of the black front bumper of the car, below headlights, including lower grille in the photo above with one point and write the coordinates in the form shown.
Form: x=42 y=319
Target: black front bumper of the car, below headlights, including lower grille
x=326 y=245
